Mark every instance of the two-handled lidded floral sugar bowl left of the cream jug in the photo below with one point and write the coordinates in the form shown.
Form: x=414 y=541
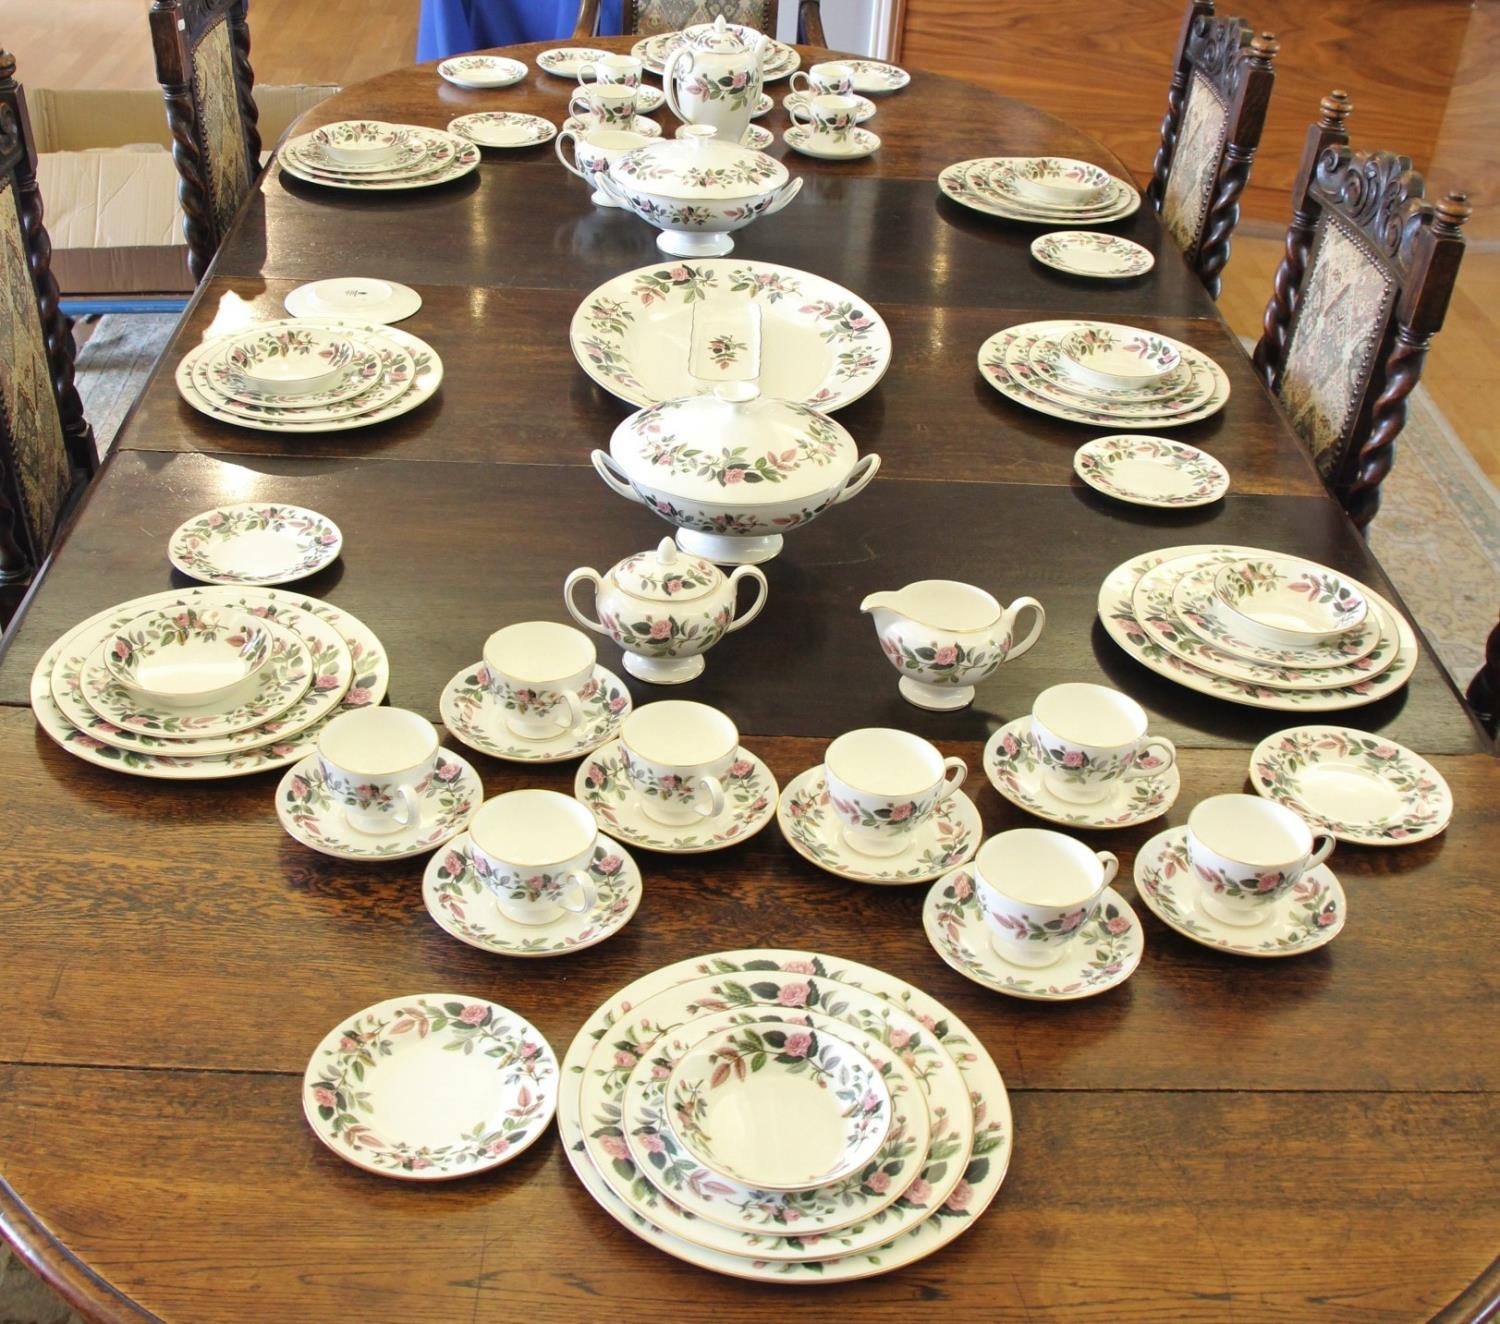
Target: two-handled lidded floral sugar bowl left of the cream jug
x=665 y=610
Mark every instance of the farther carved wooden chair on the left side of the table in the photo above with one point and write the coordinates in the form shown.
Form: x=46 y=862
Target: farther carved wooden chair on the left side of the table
x=203 y=64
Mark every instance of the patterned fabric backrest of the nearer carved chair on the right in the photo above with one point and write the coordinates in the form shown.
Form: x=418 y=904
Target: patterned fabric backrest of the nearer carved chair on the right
x=1343 y=311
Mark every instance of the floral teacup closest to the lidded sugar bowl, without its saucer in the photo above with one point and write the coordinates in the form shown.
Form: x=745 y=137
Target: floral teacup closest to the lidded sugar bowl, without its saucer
x=536 y=671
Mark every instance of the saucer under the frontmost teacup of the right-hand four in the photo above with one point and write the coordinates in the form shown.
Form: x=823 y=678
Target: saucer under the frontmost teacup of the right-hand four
x=1103 y=956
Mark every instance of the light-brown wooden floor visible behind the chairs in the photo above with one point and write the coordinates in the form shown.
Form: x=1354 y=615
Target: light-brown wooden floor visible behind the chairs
x=347 y=41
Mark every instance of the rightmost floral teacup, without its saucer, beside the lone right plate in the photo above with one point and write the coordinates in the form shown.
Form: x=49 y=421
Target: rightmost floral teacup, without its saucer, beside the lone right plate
x=1247 y=852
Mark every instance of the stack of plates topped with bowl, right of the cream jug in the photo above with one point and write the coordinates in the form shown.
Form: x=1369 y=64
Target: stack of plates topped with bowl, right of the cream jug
x=1172 y=611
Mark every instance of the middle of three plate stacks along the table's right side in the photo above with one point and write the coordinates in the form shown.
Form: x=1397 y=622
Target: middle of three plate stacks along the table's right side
x=1105 y=374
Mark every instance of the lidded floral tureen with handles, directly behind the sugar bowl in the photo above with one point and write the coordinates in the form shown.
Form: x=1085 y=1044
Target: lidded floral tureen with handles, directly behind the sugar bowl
x=734 y=470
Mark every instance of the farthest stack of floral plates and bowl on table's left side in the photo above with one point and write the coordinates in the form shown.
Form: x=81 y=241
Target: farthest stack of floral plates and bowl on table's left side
x=373 y=155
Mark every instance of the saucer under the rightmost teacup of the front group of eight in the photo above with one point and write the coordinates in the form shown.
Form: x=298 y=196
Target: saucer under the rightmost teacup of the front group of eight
x=1307 y=917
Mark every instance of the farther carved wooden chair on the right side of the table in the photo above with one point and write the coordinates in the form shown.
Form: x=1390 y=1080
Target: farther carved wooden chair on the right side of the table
x=1216 y=112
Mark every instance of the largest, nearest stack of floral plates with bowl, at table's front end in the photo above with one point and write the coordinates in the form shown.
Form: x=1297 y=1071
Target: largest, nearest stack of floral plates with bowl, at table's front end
x=634 y=1110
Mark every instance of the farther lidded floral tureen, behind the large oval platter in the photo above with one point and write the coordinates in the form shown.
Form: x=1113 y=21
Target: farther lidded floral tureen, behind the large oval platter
x=697 y=190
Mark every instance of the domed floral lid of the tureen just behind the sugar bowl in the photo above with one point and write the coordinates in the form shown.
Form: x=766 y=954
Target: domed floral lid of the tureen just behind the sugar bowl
x=734 y=448
